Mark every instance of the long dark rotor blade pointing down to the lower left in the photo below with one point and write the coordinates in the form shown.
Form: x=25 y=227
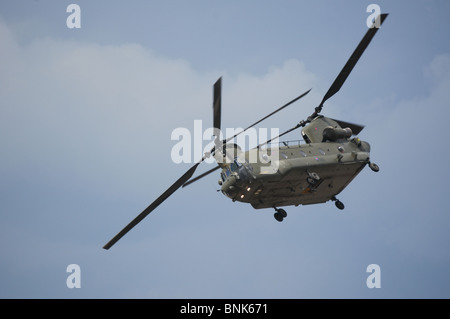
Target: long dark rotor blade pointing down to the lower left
x=153 y=205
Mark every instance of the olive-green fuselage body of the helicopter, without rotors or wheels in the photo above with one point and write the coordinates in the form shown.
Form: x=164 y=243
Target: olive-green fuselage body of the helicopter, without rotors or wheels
x=295 y=173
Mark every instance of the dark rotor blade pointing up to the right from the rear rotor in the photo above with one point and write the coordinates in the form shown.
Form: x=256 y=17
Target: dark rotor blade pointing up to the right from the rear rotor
x=348 y=67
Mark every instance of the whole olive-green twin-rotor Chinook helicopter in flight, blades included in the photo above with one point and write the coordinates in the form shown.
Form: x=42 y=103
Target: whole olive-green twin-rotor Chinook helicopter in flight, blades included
x=292 y=173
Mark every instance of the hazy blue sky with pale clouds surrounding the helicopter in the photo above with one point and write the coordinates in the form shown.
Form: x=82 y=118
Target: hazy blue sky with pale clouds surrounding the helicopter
x=86 y=117
